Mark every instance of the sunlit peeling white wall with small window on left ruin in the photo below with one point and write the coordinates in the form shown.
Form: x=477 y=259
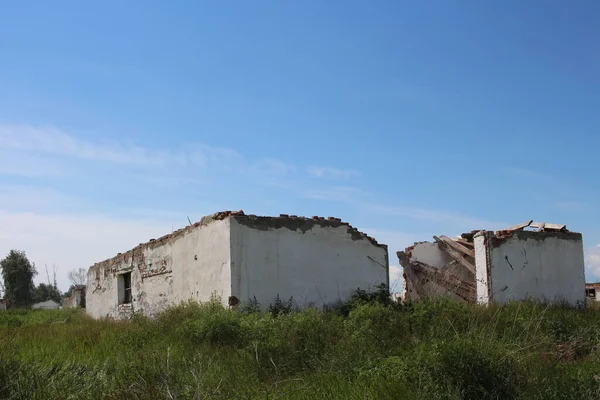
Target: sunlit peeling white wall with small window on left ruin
x=193 y=265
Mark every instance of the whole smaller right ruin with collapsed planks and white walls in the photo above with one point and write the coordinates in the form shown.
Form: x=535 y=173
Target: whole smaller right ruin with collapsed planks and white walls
x=527 y=261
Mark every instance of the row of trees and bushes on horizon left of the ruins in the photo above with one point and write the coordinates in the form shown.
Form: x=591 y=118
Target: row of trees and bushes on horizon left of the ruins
x=17 y=285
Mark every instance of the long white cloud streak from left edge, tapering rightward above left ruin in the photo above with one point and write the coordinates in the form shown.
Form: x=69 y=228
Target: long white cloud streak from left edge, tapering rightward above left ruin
x=33 y=142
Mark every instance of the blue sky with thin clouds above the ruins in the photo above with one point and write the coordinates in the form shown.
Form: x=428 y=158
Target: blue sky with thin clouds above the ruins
x=407 y=119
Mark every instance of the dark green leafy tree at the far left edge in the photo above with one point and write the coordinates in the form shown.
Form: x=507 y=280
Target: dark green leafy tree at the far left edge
x=18 y=273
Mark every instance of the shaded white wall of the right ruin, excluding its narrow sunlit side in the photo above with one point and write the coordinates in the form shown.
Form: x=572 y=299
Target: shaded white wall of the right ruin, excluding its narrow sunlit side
x=547 y=268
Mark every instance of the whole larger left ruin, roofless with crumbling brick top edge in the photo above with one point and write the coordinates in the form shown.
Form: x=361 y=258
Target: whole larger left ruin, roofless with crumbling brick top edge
x=237 y=257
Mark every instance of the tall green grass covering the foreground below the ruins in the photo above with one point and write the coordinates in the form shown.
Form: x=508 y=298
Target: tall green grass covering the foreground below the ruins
x=367 y=349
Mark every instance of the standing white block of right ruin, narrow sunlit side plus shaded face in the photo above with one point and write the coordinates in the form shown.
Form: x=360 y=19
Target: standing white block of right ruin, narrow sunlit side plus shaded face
x=545 y=266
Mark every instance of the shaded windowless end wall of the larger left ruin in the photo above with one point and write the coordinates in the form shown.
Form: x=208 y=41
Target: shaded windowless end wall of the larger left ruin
x=317 y=267
